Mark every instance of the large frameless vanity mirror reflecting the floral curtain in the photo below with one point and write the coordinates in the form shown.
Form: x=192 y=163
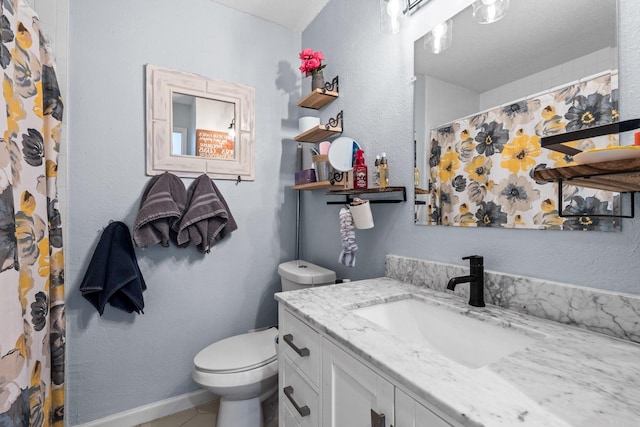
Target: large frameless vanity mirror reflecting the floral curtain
x=485 y=93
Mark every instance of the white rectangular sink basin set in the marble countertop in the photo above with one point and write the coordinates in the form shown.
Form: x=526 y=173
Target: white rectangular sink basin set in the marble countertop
x=471 y=341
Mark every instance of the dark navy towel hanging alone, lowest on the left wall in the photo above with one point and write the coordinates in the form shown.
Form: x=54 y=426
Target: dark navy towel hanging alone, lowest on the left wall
x=113 y=275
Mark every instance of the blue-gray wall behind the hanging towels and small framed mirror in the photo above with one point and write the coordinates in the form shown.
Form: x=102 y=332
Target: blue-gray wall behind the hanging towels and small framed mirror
x=122 y=361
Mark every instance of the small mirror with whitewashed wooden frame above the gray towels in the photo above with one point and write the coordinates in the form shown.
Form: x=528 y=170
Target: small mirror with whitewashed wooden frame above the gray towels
x=198 y=125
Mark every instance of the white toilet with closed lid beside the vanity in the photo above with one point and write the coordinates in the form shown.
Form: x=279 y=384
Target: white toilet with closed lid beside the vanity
x=243 y=369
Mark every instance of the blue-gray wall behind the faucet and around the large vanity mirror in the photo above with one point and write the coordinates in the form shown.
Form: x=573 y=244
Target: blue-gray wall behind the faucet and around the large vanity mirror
x=376 y=94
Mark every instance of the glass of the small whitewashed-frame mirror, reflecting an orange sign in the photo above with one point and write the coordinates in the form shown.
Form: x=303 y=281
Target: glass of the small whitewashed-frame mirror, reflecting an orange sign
x=202 y=127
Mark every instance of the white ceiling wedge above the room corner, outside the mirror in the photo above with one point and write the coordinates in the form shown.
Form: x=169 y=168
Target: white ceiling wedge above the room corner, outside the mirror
x=293 y=14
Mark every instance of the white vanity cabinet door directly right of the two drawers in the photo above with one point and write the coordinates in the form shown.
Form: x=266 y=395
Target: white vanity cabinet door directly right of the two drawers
x=351 y=391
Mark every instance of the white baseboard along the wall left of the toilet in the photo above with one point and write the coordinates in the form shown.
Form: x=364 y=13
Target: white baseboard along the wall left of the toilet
x=152 y=411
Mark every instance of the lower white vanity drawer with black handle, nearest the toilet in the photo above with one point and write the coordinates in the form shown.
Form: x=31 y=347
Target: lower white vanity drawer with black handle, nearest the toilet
x=298 y=397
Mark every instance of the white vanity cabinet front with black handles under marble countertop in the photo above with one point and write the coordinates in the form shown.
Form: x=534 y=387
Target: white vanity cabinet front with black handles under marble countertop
x=322 y=384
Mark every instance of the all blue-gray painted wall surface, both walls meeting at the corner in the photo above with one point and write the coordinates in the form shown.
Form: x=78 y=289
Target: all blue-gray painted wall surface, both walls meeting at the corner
x=122 y=361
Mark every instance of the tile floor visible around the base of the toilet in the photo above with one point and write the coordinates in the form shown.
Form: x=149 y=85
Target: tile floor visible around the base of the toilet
x=205 y=416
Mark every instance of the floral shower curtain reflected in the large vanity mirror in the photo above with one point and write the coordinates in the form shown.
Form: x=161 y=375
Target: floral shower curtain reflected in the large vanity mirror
x=481 y=166
